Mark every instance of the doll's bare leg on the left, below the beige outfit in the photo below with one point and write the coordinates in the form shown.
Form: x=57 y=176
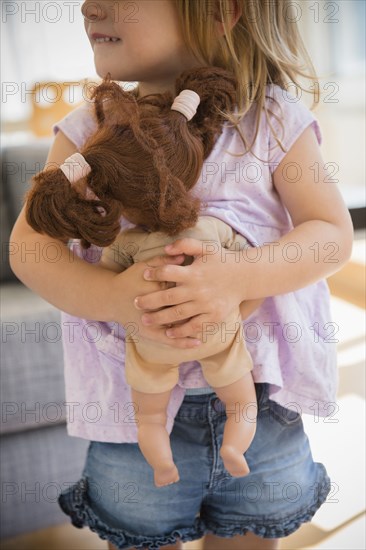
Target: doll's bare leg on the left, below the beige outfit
x=153 y=437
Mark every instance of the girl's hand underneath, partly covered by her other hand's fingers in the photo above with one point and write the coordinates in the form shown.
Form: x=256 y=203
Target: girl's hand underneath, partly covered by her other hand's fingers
x=130 y=283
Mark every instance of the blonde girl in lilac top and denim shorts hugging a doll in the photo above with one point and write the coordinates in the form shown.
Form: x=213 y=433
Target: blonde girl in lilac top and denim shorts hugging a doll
x=302 y=233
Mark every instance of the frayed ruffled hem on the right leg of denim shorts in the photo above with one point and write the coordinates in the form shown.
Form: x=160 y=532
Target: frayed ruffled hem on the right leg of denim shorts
x=271 y=530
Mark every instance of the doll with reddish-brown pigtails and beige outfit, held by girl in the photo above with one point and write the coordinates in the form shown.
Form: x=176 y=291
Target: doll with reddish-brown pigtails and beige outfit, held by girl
x=142 y=163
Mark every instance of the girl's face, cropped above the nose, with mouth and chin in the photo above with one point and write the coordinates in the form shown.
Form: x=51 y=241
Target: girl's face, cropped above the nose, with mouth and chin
x=137 y=41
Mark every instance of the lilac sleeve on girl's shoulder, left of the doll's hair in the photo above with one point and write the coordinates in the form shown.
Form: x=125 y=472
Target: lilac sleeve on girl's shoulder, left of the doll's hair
x=78 y=125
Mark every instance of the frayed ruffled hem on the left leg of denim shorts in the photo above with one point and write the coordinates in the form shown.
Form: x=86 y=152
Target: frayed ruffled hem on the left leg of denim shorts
x=74 y=503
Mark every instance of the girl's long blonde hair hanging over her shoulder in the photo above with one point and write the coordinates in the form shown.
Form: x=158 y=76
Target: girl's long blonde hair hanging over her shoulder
x=264 y=47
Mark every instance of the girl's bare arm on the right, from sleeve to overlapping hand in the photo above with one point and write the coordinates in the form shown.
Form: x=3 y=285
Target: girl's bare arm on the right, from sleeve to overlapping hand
x=319 y=245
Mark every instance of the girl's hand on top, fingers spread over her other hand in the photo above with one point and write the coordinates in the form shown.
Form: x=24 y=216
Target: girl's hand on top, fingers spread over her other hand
x=206 y=291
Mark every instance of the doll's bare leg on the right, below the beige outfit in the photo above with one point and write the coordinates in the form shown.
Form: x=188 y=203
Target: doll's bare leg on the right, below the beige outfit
x=241 y=411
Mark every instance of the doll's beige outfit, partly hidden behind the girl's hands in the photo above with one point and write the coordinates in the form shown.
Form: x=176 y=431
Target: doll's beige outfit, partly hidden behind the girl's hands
x=152 y=367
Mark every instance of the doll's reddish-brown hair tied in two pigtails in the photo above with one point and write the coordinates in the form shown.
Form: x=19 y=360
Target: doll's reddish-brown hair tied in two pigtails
x=144 y=157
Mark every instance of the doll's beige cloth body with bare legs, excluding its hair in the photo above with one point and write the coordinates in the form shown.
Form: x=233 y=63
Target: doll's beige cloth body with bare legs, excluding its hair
x=152 y=368
